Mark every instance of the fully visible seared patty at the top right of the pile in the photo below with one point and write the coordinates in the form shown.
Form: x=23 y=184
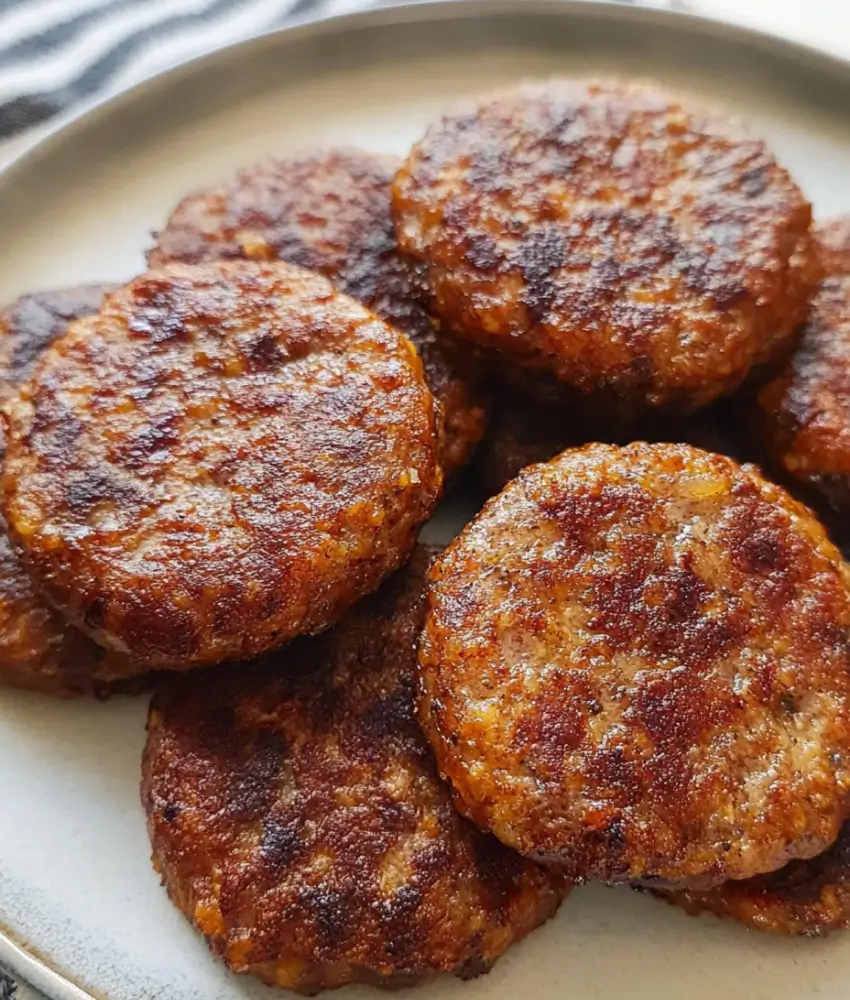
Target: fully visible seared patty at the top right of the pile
x=627 y=243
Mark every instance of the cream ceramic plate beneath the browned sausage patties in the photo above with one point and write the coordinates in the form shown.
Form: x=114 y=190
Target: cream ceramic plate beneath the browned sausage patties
x=82 y=911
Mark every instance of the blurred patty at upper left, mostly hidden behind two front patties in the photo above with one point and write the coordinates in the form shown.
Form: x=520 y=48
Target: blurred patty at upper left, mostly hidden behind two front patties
x=330 y=212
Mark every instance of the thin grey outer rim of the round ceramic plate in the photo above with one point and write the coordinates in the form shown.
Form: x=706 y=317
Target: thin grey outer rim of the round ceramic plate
x=16 y=958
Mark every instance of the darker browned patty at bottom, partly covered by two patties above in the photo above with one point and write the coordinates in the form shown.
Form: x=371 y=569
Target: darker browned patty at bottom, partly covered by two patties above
x=298 y=820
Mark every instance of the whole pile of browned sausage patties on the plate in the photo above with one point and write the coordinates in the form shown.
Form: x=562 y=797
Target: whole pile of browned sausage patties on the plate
x=631 y=666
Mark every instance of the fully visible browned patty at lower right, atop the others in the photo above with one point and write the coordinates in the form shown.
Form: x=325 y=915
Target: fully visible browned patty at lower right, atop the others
x=635 y=664
